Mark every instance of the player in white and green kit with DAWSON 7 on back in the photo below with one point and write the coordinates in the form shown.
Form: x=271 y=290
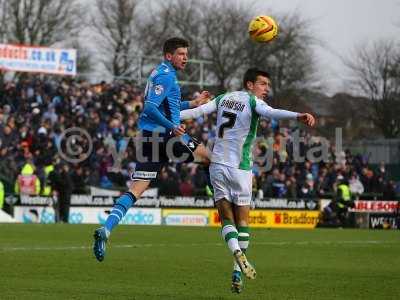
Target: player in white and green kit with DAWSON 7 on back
x=231 y=159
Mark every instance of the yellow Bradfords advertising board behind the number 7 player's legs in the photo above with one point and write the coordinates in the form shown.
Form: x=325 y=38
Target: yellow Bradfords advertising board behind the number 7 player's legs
x=276 y=219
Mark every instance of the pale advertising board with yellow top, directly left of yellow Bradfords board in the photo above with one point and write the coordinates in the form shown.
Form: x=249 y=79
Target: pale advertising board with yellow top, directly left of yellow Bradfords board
x=185 y=217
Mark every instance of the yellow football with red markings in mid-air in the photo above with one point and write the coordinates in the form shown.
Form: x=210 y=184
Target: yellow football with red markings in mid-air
x=263 y=29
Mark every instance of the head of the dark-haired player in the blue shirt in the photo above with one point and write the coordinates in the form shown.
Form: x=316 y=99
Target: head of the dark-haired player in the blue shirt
x=175 y=50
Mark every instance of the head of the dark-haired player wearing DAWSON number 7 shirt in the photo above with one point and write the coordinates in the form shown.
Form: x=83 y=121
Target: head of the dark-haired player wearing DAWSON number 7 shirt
x=257 y=82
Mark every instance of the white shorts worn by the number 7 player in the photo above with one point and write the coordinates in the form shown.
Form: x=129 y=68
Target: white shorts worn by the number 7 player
x=235 y=185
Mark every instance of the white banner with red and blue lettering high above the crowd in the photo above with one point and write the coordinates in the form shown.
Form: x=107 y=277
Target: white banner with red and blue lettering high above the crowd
x=37 y=59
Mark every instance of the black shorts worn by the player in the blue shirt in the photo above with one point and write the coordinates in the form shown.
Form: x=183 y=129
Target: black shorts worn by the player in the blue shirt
x=154 y=150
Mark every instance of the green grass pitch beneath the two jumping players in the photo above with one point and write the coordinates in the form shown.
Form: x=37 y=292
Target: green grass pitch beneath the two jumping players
x=193 y=263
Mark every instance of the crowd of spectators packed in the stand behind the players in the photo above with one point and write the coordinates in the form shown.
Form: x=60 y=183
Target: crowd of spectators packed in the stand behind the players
x=34 y=114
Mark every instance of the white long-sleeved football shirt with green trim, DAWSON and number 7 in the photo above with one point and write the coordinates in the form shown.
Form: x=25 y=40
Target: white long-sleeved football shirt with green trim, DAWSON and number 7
x=237 y=120
